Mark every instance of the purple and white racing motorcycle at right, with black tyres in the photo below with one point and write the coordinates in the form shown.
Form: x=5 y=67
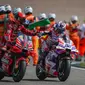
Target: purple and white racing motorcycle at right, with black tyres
x=57 y=63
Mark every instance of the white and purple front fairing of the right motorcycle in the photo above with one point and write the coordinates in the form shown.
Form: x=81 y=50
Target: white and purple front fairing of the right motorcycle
x=62 y=46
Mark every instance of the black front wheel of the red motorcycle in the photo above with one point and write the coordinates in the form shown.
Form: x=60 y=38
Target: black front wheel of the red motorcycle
x=20 y=71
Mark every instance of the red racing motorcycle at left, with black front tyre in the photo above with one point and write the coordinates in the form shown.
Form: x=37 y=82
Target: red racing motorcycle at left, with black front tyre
x=14 y=64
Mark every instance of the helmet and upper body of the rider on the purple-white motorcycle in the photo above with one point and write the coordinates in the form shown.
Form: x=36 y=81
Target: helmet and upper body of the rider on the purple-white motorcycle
x=58 y=31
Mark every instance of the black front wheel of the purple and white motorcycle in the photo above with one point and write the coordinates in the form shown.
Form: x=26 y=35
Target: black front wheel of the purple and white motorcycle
x=64 y=69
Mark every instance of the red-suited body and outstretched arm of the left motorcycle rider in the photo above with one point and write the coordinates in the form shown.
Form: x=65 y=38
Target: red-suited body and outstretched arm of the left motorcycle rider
x=12 y=32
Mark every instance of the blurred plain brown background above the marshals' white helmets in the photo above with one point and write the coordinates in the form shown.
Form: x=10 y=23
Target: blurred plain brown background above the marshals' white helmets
x=64 y=9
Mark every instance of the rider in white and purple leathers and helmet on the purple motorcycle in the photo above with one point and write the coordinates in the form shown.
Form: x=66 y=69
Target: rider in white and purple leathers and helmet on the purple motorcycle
x=52 y=40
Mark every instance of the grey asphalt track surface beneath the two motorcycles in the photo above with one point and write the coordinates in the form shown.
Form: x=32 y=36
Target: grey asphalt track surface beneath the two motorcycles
x=77 y=77
